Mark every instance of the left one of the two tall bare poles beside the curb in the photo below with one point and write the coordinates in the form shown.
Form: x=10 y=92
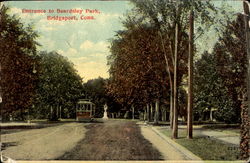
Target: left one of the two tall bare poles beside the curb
x=175 y=122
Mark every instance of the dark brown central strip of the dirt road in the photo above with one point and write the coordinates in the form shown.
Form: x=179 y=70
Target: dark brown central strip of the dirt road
x=113 y=140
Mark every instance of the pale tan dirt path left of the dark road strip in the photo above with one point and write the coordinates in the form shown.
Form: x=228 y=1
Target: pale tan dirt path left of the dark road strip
x=42 y=144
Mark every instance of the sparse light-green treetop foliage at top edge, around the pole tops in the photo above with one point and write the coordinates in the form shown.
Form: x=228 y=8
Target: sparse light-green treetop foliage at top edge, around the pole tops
x=164 y=15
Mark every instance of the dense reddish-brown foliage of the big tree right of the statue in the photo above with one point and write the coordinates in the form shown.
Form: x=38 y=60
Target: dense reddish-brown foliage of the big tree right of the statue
x=132 y=70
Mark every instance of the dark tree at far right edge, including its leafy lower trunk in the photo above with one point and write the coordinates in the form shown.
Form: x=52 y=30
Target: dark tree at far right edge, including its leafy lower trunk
x=231 y=56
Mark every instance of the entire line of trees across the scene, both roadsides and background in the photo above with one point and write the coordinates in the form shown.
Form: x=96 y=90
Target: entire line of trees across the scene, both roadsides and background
x=149 y=64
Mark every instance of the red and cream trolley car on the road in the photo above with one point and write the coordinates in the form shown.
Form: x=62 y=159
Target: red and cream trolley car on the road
x=85 y=110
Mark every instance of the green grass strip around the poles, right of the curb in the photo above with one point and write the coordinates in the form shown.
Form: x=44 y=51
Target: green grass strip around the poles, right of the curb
x=205 y=147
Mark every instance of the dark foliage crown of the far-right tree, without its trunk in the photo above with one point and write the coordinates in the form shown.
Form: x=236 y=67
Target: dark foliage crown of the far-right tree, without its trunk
x=230 y=53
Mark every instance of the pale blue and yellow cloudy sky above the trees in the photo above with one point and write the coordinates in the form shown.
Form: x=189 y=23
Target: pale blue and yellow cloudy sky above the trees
x=83 y=42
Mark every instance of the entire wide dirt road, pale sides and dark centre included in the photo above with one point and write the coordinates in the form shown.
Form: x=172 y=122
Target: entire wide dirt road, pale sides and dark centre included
x=104 y=140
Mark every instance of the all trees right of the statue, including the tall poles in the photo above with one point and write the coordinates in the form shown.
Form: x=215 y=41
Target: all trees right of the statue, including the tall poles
x=150 y=58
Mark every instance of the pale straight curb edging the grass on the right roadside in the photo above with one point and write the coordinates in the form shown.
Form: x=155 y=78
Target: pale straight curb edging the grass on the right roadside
x=177 y=146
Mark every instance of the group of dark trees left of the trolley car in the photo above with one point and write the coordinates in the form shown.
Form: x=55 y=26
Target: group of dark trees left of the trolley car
x=37 y=84
